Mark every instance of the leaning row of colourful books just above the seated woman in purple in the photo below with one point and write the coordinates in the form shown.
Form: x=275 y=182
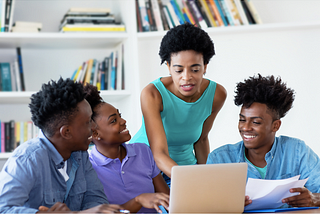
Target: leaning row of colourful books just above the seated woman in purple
x=106 y=74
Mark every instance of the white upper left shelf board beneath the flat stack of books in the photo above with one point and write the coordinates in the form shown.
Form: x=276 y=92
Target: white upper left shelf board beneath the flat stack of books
x=61 y=40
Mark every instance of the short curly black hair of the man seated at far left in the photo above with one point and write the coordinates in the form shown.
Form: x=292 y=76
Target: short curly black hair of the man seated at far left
x=55 y=104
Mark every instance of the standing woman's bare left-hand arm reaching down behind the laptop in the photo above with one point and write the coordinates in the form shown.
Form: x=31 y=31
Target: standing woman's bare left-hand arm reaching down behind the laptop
x=151 y=105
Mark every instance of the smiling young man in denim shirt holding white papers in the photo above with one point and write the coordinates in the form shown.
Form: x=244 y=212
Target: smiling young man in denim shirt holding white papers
x=264 y=101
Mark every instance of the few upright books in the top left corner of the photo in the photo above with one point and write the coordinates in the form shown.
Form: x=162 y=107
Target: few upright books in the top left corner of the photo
x=6 y=15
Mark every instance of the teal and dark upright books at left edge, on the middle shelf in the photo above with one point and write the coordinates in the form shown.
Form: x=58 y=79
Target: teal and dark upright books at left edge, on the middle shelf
x=11 y=74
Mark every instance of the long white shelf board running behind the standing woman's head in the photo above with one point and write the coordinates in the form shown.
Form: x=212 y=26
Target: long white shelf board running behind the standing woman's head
x=240 y=29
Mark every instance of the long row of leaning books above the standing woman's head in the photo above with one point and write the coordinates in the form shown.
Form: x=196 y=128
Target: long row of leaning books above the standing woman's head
x=159 y=15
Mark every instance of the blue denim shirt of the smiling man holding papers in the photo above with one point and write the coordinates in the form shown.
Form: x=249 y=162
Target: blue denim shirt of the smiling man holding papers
x=288 y=157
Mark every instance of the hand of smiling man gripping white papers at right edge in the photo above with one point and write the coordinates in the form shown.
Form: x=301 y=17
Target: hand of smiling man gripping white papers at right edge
x=304 y=199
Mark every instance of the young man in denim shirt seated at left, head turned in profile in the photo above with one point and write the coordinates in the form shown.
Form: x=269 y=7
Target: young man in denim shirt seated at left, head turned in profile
x=52 y=172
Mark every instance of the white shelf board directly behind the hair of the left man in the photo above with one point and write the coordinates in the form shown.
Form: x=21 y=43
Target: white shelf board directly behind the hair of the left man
x=24 y=97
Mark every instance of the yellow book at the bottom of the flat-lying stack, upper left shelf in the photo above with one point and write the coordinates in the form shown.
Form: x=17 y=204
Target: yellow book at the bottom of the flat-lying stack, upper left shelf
x=93 y=28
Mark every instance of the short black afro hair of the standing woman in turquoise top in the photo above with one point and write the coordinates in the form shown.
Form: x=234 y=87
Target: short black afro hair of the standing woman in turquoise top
x=186 y=37
